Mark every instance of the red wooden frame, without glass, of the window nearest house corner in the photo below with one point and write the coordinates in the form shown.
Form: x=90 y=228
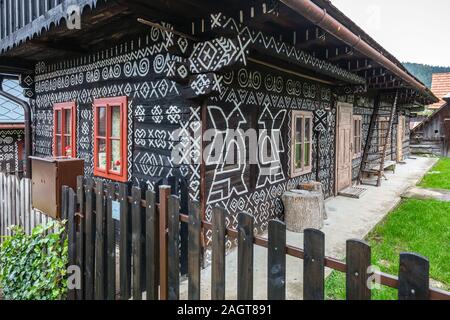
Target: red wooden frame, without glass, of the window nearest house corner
x=108 y=104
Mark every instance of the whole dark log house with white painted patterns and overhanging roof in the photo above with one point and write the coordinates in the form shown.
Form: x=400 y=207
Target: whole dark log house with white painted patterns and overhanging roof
x=116 y=92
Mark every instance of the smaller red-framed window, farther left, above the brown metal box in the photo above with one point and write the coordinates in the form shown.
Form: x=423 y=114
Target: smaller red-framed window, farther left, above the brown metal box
x=64 y=137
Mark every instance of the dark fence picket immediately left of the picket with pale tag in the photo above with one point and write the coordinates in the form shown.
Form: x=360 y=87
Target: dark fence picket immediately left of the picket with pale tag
x=100 y=242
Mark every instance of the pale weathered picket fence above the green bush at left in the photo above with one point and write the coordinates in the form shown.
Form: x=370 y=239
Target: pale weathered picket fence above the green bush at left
x=15 y=205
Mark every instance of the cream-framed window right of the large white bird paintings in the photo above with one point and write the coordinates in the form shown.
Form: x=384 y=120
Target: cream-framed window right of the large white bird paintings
x=301 y=151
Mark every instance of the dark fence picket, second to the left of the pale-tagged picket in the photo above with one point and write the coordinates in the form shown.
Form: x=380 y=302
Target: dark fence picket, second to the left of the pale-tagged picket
x=90 y=239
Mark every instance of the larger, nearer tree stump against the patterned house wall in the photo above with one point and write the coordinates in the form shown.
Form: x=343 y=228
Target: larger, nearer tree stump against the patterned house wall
x=303 y=209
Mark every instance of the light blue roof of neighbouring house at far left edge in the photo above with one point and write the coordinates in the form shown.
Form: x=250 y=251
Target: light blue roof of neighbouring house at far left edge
x=10 y=112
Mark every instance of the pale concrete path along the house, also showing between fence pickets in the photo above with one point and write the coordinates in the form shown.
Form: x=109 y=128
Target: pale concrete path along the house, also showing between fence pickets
x=347 y=219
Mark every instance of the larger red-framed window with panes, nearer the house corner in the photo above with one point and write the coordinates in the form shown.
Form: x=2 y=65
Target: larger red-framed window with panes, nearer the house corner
x=110 y=138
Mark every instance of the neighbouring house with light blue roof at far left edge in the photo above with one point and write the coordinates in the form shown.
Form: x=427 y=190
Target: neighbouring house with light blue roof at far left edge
x=11 y=130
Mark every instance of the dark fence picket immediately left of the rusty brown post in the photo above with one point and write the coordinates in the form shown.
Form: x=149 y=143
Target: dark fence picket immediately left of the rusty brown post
x=152 y=246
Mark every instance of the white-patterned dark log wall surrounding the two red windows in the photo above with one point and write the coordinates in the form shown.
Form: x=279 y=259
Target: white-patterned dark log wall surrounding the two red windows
x=136 y=69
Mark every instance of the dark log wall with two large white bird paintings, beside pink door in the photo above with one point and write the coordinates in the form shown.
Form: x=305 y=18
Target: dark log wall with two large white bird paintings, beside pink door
x=261 y=98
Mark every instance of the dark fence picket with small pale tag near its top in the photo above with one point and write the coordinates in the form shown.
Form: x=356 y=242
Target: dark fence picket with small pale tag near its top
x=110 y=243
